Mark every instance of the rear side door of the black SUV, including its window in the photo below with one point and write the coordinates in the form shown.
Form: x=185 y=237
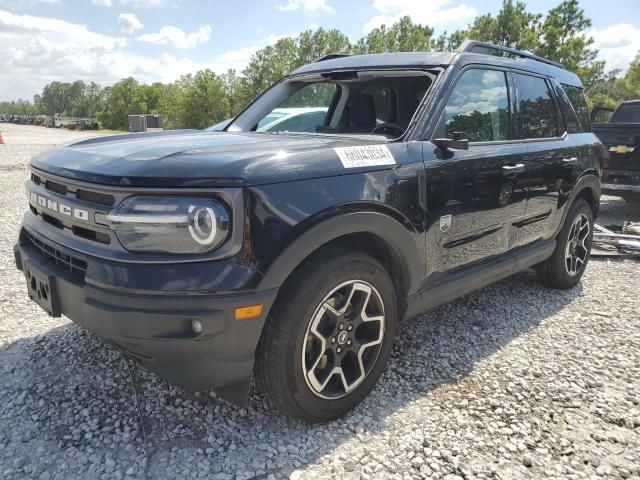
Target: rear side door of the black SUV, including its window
x=552 y=156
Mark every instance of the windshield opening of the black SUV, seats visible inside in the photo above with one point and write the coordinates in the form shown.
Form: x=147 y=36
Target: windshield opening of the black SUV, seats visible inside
x=347 y=103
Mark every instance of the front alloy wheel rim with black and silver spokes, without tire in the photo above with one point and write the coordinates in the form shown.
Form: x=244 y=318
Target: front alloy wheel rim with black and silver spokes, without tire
x=343 y=339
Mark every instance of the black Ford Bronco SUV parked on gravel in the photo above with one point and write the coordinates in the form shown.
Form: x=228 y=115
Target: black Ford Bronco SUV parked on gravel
x=299 y=245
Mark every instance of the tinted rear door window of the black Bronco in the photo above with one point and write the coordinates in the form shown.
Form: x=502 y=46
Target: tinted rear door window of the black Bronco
x=538 y=118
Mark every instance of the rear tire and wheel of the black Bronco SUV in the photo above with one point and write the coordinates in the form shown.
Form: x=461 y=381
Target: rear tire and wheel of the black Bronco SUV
x=559 y=271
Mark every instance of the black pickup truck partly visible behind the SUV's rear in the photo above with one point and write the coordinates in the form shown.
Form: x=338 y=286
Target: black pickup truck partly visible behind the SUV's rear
x=621 y=139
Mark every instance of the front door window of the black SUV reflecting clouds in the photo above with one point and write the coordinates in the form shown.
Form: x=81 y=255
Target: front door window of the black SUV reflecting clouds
x=478 y=108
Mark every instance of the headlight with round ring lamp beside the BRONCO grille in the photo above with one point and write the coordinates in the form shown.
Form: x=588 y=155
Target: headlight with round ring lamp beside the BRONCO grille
x=170 y=224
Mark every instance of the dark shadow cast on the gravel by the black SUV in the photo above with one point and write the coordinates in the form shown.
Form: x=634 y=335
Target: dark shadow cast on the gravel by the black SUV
x=76 y=385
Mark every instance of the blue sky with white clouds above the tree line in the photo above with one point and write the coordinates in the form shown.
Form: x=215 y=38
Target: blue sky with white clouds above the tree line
x=159 y=40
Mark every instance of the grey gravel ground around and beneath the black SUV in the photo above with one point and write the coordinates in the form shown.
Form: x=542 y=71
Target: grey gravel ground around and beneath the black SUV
x=513 y=381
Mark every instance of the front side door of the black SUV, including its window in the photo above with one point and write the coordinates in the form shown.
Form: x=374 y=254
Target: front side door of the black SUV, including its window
x=487 y=195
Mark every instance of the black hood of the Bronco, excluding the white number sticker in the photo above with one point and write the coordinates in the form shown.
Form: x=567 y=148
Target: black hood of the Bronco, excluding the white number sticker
x=199 y=158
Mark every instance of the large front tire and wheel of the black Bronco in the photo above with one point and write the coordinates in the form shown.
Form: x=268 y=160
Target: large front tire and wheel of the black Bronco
x=332 y=288
